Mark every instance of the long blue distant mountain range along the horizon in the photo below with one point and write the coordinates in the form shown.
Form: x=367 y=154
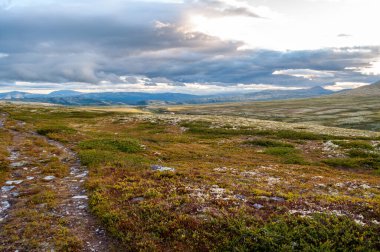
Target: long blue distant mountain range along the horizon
x=73 y=98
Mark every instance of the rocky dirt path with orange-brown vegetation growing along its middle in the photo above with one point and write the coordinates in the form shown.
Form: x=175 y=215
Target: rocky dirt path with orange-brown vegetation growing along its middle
x=46 y=184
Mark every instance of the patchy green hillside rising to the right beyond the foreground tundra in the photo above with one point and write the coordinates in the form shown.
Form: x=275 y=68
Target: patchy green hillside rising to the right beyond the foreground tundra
x=358 y=109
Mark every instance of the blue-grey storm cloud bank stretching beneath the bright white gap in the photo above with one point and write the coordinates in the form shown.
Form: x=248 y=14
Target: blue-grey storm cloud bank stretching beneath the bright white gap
x=92 y=42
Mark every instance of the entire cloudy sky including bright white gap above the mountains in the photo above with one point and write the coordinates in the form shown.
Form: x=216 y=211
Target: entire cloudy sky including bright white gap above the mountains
x=188 y=46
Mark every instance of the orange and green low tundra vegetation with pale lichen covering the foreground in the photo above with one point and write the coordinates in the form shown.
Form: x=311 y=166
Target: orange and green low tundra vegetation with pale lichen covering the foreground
x=167 y=182
